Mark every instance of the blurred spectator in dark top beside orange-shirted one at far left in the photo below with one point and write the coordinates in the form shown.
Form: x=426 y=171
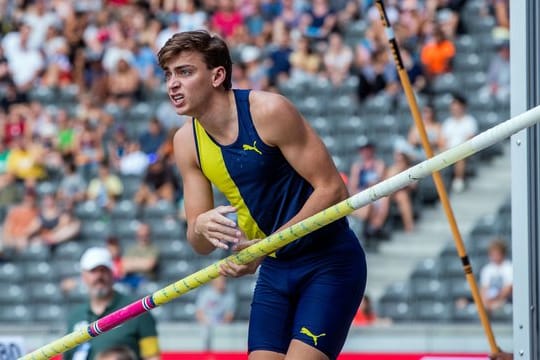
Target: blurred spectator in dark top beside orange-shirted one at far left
x=55 y=225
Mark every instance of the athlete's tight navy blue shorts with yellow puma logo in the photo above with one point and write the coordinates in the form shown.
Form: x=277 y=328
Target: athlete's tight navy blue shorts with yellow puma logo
x=309 y=299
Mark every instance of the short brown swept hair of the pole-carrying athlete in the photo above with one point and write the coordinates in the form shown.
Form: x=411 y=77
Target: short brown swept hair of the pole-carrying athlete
x=213 y=49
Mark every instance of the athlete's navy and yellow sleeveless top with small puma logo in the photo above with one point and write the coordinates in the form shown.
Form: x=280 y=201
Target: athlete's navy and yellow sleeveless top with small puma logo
x=258 y=180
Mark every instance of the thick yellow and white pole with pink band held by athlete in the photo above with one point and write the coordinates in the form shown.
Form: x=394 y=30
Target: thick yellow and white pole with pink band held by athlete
x=282 y=238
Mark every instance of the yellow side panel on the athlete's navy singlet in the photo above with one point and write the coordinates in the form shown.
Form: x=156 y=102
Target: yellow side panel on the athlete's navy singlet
x=213 y=167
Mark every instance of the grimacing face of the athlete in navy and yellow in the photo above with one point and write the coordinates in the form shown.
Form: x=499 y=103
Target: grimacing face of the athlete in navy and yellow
x=189 y=83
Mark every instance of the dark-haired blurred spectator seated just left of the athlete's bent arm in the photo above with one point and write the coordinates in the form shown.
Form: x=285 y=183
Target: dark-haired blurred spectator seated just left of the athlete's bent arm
x=159 y=184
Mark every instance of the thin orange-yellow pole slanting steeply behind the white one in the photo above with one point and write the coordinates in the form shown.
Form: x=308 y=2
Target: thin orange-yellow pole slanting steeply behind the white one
x=441 y=190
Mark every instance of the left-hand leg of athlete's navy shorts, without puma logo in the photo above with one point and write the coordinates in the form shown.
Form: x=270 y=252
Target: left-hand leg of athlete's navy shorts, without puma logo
x=272 y=314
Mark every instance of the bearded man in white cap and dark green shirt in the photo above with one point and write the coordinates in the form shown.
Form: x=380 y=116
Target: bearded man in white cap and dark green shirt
x=139 y=334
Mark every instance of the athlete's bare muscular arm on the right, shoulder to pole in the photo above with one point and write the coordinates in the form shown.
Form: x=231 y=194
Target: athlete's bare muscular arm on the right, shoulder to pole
x=280 y=124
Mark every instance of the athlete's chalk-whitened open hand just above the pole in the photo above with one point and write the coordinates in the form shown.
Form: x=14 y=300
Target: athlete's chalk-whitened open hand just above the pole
x=219 y=230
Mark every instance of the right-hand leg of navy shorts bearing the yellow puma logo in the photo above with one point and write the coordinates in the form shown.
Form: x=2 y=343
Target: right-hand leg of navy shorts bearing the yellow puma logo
x=328 y=303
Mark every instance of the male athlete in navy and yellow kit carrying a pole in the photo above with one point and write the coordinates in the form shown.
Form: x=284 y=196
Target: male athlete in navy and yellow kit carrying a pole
x=274 y=170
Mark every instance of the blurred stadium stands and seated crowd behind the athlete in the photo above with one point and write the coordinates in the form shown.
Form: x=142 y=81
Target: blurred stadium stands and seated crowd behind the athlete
x=86 y=156
